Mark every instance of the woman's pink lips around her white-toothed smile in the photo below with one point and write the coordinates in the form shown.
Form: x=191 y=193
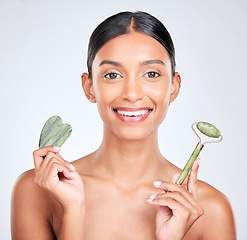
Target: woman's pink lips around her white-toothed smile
x=132 y=119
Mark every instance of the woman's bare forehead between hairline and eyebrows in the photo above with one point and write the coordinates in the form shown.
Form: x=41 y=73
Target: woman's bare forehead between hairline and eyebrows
x=132 y=47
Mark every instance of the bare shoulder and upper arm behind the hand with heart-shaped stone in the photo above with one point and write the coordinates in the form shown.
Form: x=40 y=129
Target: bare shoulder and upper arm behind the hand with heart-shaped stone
x=30 y=209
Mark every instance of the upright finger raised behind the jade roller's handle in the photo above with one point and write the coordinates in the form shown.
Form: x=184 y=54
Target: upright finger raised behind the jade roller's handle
x=192 y=180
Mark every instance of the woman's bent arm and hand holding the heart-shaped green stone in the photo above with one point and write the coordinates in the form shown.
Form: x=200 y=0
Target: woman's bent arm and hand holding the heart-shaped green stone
x=53 y=179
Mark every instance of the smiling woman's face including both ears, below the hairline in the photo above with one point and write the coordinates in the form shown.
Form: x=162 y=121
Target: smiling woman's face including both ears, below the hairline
x=132 y=84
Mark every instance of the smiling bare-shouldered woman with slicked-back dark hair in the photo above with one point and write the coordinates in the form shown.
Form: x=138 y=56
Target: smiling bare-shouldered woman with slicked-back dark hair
x=125 y=189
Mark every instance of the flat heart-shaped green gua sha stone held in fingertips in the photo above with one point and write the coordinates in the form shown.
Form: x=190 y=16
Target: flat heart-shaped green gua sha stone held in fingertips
x=54 y=132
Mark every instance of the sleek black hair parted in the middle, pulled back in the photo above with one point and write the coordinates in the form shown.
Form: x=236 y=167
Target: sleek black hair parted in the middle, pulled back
x=126 y=22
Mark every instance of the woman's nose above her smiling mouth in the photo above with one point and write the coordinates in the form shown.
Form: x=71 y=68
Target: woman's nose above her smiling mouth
x=132 y=89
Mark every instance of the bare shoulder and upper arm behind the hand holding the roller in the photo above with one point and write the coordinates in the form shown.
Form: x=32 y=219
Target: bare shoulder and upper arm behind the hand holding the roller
x=218 y=220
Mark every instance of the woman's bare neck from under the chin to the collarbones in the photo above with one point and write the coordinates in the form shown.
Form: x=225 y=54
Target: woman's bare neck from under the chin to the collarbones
x=131 y=161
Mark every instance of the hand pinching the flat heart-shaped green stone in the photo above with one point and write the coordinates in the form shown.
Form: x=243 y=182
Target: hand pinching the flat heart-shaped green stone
x=58 y=177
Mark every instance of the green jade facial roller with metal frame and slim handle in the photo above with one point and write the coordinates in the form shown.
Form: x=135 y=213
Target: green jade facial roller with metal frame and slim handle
x=208 y=130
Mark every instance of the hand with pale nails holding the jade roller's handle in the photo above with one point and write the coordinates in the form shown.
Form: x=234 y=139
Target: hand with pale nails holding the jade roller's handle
x=179 y=207
